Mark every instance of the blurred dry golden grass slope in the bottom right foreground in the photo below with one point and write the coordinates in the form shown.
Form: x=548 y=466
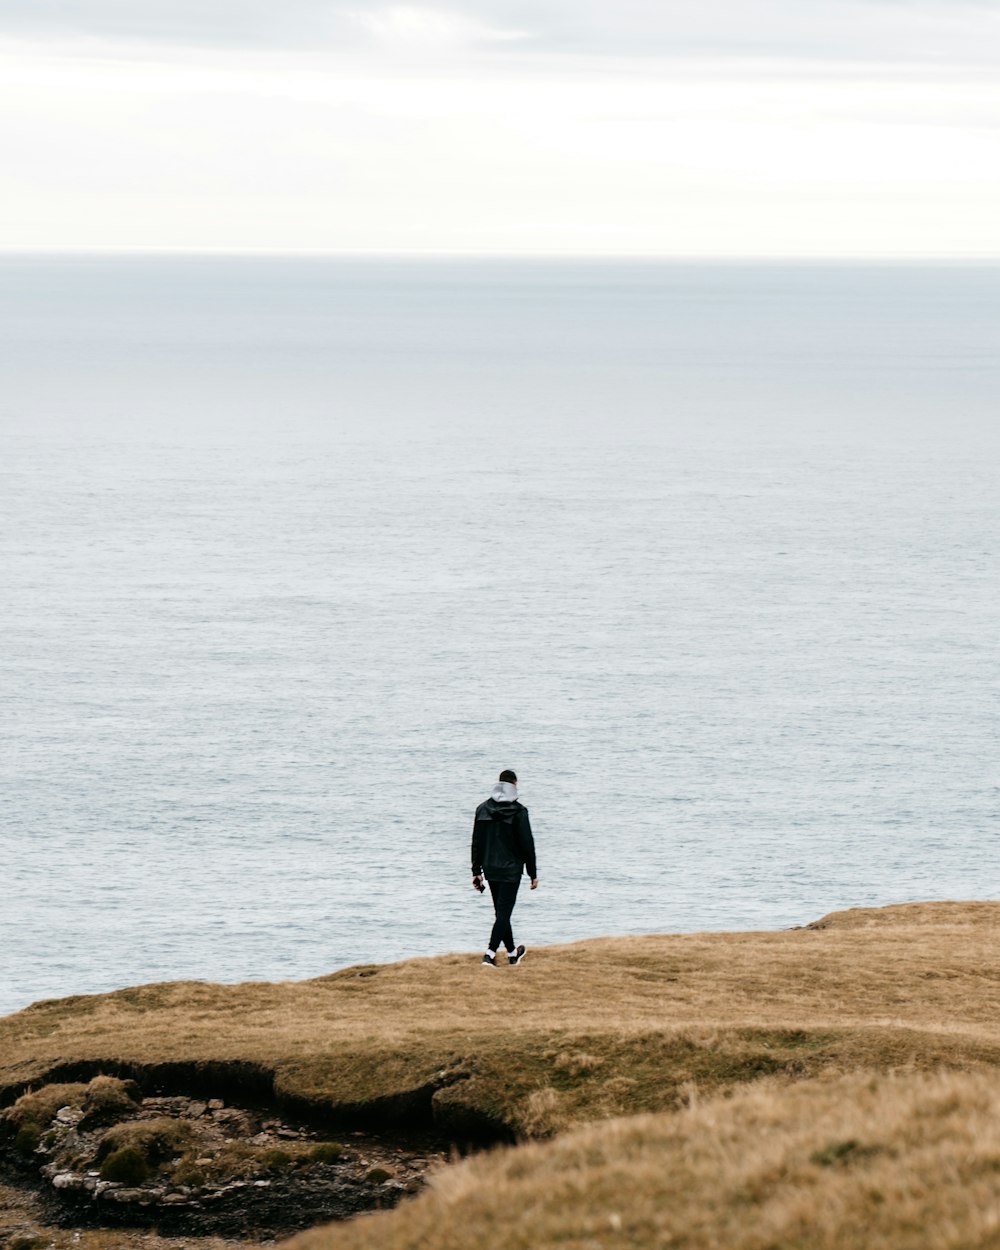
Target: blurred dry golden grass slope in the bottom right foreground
x=876 y=1163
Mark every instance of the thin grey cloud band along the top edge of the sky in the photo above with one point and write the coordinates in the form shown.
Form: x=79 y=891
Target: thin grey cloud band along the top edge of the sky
x=937 y=32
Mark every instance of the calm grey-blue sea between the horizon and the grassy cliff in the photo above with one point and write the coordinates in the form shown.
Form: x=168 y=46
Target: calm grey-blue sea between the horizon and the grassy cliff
x=298 y=554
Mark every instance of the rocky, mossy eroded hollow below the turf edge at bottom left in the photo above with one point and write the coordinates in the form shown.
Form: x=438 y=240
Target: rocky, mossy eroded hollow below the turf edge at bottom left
x=101 y=1154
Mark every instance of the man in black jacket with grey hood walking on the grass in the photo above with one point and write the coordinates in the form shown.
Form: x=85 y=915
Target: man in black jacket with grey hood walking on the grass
x=503 y=848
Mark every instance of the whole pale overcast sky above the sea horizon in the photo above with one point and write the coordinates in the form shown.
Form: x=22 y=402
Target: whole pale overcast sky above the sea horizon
x=628 y=127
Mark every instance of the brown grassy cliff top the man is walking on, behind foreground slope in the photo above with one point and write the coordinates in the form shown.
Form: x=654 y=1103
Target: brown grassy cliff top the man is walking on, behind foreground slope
x=579 y=1033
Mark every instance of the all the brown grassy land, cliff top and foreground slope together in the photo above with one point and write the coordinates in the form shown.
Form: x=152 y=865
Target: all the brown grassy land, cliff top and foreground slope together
x=779 y=1087
